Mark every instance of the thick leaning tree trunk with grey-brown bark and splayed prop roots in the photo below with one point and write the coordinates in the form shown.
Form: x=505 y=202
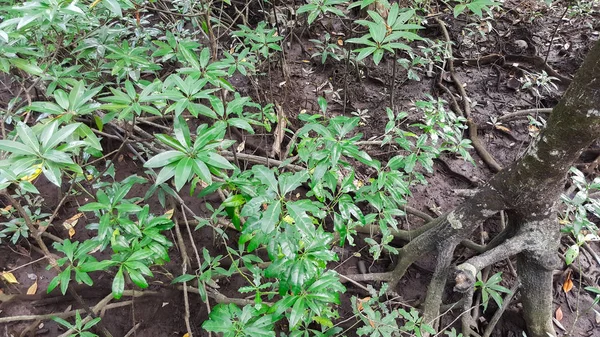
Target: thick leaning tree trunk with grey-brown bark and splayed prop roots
x=528 y=190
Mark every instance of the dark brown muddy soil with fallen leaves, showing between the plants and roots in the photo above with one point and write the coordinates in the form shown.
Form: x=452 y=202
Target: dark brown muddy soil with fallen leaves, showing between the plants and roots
x=517 y=30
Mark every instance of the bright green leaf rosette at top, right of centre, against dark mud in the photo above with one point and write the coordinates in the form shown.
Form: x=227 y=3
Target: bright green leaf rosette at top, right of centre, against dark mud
x=384 y=34
